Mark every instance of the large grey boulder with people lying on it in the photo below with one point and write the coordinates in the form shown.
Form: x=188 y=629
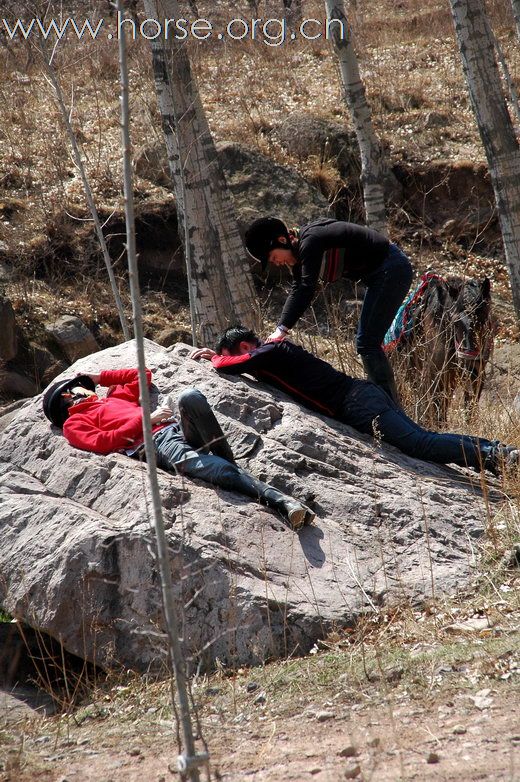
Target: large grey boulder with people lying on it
x=77 y=556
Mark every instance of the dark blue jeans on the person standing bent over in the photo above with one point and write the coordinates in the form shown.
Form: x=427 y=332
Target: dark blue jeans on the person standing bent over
x=386 y=288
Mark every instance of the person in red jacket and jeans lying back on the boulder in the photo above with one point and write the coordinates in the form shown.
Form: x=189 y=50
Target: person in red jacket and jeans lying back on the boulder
x=115 y=424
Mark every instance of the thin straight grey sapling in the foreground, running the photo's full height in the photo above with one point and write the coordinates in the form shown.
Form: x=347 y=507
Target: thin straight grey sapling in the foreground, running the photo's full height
x=189 y=761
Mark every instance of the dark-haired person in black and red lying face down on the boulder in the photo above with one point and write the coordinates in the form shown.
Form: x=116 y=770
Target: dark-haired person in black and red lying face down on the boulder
x=359 y=403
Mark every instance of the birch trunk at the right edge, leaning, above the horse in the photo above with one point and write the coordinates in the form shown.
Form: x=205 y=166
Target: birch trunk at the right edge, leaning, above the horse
x=476 y=46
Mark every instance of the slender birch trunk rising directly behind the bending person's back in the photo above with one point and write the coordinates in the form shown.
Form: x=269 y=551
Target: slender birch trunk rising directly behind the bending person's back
x=373 y=166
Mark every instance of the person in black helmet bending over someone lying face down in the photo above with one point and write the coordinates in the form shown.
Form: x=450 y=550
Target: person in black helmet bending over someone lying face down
x=328 y=249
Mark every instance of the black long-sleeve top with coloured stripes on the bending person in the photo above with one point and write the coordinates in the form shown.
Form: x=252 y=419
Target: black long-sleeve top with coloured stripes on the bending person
x=330 y=249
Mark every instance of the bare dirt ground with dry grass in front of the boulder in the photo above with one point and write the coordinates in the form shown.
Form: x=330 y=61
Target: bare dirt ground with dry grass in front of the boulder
x=413 y=696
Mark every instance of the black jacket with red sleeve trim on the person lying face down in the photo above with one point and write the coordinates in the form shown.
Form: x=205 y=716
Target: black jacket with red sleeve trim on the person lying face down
x=292 y=369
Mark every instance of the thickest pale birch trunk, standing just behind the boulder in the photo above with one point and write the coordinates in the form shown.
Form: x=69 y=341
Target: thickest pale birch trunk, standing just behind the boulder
x=222 y=288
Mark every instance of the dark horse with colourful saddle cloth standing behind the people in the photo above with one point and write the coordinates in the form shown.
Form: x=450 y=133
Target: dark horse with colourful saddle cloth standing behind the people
x=442 y=337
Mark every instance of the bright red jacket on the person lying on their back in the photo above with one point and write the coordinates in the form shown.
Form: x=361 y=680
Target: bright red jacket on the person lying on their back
x=111 y=424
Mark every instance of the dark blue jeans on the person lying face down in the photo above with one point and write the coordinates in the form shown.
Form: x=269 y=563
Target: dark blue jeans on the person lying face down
x=369 y=409
